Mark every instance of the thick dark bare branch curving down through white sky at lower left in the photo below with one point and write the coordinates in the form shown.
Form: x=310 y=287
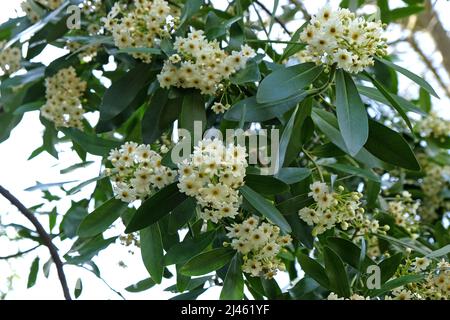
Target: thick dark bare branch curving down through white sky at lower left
x=46 y=240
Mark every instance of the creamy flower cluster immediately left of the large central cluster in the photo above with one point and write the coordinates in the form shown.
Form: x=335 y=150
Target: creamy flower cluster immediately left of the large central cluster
x=137 y=172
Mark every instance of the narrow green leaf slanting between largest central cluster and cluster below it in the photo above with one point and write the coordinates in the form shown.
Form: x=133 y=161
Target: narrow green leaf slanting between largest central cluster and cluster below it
x=260 y=204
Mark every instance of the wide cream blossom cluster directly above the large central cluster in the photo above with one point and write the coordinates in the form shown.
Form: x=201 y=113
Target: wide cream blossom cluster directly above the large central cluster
x=201 y=64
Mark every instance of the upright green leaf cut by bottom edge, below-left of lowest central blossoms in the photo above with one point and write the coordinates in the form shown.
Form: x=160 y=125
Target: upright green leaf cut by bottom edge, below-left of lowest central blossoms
x=233 y=286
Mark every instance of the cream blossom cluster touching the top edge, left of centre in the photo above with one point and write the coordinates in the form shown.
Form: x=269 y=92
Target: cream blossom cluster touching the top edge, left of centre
x=141 y=25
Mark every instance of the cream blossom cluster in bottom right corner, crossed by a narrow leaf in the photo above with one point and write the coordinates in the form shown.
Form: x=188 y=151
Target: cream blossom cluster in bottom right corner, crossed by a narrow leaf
x=435 y=286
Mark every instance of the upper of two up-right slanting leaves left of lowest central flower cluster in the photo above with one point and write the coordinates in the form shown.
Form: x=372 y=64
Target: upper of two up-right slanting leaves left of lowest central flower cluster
x=190 y=247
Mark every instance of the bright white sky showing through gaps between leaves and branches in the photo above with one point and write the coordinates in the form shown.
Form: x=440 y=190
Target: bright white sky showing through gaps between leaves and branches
x=17 y=174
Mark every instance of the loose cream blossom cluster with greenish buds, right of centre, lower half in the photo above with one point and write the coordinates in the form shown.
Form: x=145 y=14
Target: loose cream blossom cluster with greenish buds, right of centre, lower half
x=337 y=208
